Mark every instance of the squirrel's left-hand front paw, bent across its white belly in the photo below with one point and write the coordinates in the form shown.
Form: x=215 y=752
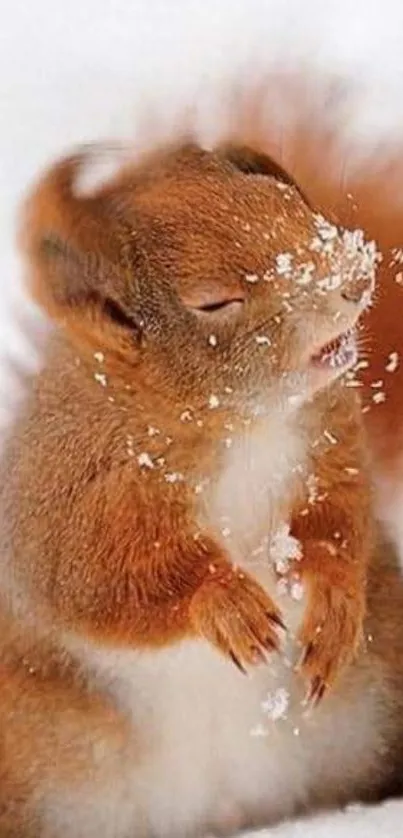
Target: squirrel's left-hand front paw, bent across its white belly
x=237 y=616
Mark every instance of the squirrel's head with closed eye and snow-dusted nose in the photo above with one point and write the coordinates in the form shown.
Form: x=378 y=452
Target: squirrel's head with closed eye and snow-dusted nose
x=206 y=272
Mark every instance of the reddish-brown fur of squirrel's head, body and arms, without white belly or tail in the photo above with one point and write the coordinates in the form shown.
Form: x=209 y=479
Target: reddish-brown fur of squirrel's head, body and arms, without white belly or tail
x=176 y=330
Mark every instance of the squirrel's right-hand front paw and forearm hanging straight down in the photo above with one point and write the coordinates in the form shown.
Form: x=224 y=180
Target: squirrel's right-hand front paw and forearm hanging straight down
x=332 y=628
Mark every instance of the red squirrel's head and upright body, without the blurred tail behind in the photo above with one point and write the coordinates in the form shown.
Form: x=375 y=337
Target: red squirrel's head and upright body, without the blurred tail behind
x=200 y=622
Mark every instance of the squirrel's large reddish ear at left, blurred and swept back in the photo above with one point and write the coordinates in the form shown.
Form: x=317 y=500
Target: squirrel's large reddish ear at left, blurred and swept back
x=80 y=252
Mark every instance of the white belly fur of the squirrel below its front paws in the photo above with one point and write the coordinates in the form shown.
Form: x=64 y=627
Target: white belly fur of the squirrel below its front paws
x=214 y=751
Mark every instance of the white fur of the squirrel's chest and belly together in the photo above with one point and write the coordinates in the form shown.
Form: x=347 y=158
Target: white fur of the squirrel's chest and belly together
x=220 y=750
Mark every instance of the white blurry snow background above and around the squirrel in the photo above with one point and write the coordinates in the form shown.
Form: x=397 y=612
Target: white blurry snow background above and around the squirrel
x=91 y=69
